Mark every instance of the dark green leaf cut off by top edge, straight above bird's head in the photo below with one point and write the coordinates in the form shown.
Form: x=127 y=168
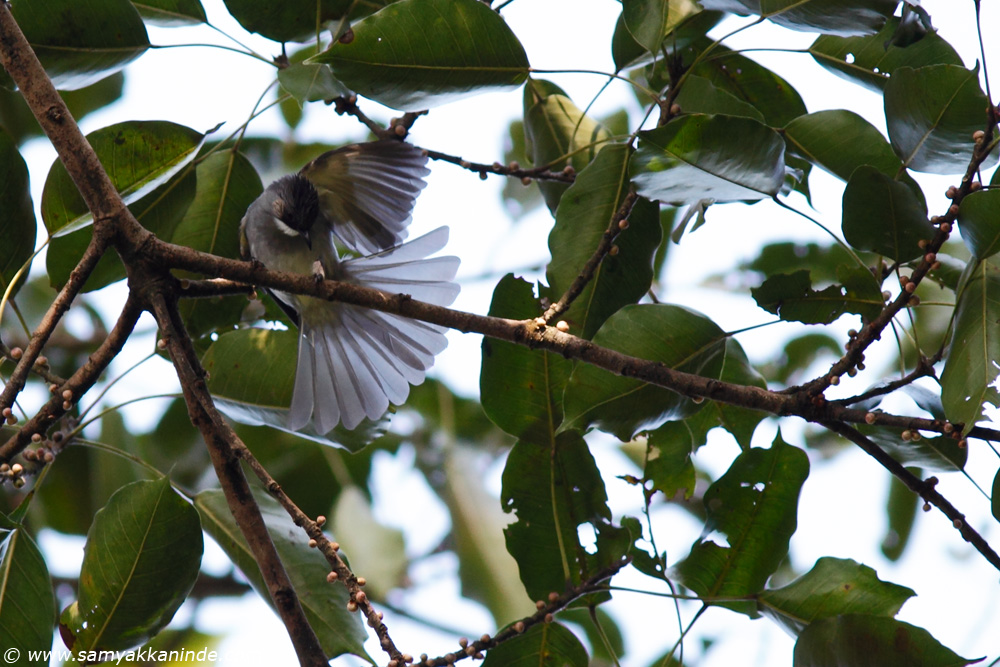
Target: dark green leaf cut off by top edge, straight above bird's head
x=297 y=20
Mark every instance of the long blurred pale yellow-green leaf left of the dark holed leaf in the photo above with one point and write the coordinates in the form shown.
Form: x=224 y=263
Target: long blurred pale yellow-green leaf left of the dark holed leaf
x=488 y=573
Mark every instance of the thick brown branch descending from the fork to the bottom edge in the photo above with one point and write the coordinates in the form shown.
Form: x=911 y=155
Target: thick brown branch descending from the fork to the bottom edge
x=226 y=450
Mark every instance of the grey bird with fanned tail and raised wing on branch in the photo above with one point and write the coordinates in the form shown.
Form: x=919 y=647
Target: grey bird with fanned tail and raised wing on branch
x=353 y=361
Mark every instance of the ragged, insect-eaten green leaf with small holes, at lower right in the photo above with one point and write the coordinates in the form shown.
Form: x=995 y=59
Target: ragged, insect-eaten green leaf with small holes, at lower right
x=754 y=504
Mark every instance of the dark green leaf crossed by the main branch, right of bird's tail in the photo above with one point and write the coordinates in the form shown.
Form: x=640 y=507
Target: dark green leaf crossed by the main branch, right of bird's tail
x=521 y=389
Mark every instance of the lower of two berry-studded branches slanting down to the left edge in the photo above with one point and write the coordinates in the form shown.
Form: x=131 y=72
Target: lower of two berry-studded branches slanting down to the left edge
x=75 y=387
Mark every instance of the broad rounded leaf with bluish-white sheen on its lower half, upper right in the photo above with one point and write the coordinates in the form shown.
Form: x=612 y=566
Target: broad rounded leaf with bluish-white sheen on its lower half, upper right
x=931 y=114
